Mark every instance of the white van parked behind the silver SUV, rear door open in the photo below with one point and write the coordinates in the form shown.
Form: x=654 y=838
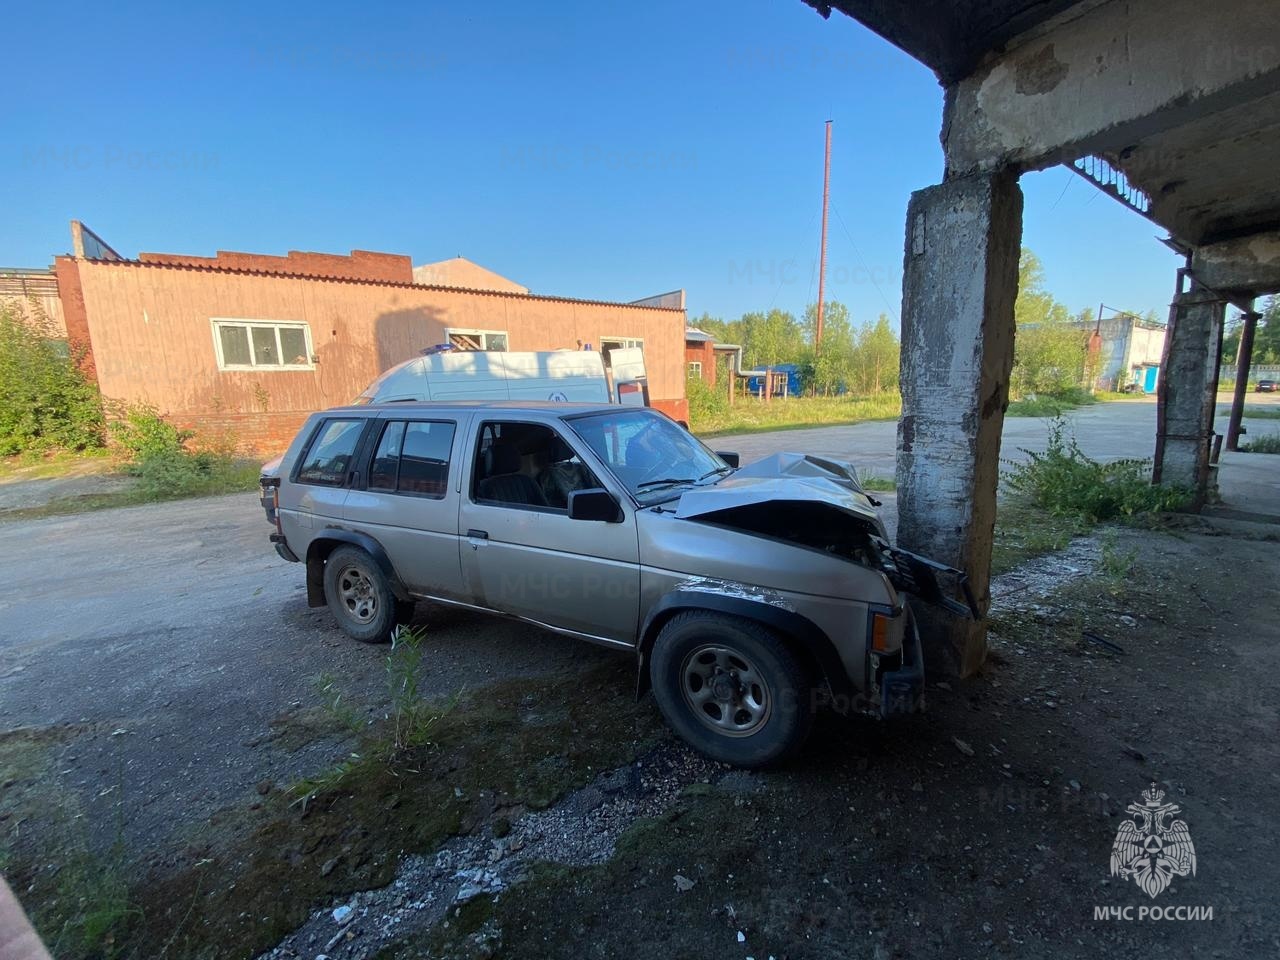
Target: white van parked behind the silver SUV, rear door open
x=568 y=377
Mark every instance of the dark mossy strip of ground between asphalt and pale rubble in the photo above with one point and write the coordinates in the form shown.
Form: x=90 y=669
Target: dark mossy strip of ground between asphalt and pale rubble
x=519 y=744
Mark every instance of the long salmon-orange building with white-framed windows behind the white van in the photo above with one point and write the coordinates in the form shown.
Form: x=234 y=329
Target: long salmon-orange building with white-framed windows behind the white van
x=253 y=344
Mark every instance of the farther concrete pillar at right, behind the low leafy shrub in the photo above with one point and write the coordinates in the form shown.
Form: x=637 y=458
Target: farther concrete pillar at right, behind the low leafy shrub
x=1187 y=392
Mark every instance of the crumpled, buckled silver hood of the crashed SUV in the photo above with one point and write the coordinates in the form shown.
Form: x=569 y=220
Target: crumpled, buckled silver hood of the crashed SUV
x=784 y=478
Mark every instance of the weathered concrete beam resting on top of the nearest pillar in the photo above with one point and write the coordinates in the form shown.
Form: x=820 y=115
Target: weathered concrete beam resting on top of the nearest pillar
x=1105 y=76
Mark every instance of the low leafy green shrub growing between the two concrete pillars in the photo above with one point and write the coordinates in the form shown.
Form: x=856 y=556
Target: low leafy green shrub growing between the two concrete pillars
x=1066 y=482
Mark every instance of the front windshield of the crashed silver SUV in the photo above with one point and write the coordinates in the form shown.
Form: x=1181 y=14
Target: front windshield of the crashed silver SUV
x=651 y=455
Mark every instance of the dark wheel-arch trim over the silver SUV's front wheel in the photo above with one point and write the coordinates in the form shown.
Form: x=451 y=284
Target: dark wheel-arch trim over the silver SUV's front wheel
x=749 y=604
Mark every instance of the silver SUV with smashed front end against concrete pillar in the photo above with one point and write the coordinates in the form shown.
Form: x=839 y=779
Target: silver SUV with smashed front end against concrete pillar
x=747 y=596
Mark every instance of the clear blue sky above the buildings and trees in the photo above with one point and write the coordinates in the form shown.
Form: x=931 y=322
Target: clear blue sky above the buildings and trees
x=583 y=149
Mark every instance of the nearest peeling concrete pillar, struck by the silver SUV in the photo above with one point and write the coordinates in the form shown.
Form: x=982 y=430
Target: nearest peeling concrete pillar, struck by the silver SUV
x=959 y=286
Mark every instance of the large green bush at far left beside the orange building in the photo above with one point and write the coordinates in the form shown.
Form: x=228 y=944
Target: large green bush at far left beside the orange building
x=45 y=400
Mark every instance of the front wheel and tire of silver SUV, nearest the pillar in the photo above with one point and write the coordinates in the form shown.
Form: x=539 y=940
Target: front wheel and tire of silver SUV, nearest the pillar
x=732 y=689
